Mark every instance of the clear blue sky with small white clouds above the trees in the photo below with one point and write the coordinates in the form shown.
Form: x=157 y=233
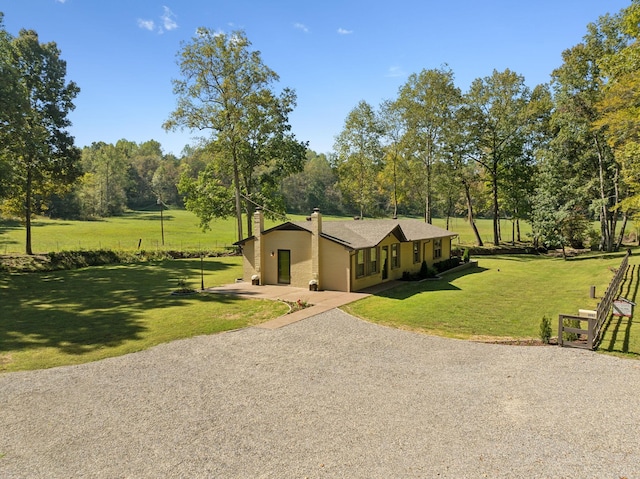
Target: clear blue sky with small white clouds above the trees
x=333 y=53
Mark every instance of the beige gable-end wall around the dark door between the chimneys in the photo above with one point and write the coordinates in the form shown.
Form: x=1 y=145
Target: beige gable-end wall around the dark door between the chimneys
x=299 y=244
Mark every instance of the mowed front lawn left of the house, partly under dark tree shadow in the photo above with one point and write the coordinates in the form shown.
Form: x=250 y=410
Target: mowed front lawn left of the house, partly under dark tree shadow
x=72 y=317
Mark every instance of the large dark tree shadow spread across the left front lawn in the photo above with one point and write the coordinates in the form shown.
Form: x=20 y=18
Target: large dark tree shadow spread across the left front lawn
x=79 y=311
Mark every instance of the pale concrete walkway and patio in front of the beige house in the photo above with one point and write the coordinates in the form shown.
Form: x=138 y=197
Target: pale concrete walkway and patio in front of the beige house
x=321 y=301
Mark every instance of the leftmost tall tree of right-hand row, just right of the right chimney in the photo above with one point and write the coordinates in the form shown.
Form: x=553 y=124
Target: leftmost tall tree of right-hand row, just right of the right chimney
x=359 y=156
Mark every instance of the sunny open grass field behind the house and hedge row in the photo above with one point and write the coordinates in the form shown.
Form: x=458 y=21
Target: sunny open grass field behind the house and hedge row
x=181 y=232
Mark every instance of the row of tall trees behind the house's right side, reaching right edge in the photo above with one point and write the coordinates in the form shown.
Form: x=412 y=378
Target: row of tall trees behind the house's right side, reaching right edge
x=559 y=155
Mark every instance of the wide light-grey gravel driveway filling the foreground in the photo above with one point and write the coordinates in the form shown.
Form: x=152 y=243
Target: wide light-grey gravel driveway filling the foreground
x=330 y=396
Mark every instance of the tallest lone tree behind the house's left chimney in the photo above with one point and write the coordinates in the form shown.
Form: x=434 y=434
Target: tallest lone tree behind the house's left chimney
x=227 y=90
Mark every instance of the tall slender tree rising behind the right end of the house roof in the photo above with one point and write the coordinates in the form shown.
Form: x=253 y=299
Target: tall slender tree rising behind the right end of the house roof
x=427 y=102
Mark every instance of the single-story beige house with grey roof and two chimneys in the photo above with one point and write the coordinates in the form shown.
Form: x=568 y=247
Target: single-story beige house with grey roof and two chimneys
x=340 y=255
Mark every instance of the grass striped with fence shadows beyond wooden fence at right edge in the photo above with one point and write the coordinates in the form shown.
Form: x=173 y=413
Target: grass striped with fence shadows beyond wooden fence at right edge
x=618 y=330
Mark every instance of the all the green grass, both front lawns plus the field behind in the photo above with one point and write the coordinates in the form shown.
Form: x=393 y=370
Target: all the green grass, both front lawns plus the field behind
x=70 y=317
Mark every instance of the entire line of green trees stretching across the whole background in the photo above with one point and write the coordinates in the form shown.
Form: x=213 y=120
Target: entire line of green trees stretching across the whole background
x=559 y=155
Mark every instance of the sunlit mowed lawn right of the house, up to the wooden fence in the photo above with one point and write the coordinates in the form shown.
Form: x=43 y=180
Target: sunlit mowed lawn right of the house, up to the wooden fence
x=504 y=297
